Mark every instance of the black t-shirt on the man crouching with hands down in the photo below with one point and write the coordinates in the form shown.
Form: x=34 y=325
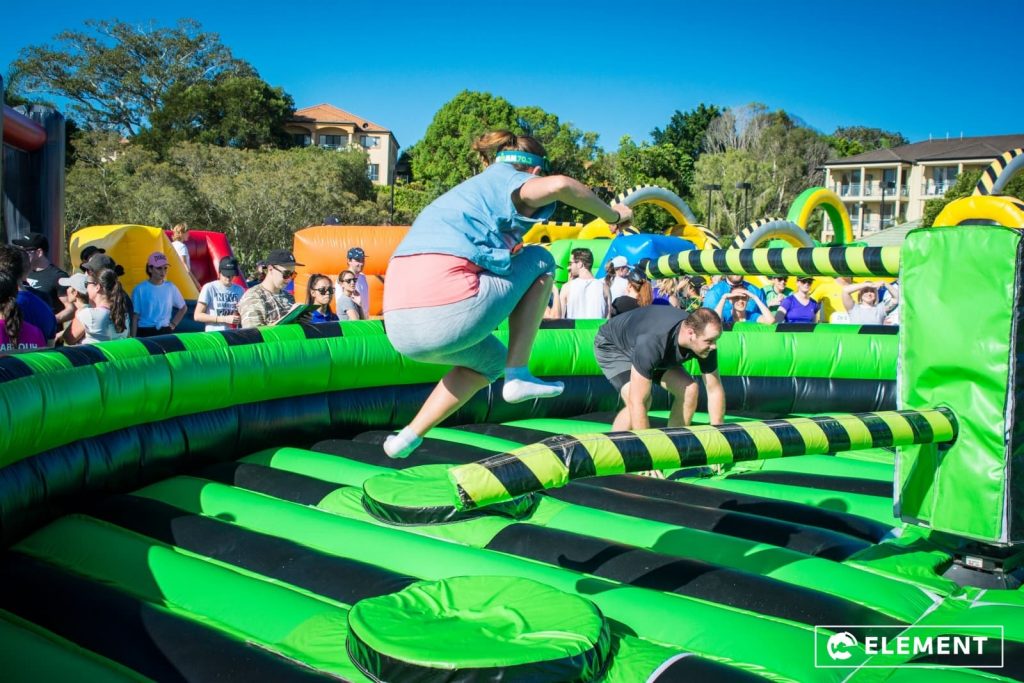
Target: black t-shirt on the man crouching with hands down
x=650 y=335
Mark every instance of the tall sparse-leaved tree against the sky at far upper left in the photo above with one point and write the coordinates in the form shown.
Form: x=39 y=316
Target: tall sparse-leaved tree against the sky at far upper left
x=117 y=75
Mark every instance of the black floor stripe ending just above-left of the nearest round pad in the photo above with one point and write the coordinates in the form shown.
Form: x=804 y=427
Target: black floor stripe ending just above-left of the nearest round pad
x=337 y=578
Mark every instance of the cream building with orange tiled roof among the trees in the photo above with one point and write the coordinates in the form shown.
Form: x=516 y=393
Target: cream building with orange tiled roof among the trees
x=333 y=129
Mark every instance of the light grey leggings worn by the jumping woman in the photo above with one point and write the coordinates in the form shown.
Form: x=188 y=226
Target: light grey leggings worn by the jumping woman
x=461 y=333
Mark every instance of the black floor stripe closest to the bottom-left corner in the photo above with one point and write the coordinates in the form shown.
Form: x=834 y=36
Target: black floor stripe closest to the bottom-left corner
x=147 y=638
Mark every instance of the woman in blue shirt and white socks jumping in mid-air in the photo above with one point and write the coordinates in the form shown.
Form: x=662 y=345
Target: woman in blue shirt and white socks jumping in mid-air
x=462 y=269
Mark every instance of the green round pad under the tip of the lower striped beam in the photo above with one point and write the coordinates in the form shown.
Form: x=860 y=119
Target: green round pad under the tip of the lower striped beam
x=424 y=495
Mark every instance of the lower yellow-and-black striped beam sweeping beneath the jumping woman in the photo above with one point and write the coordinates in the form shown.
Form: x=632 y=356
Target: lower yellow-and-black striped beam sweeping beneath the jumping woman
x=557 y=461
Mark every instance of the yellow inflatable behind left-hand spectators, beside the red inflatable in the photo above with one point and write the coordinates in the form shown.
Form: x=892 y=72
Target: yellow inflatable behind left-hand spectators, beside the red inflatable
x=131 y=246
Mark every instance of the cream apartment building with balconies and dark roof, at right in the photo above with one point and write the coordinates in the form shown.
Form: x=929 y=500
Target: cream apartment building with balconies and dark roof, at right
x=885 y=188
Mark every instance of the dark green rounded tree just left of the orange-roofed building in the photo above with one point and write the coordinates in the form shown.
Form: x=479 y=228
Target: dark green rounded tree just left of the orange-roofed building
x=236 y=112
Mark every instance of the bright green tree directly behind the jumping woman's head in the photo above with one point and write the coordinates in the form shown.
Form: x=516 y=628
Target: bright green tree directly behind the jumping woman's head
x=445 y=157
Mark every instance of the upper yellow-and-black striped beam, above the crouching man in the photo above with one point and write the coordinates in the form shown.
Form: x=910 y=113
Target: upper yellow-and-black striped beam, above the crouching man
x=827 y=262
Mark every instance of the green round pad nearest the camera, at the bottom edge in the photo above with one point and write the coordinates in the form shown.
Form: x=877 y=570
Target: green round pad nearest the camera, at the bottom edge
x=479 y=629
